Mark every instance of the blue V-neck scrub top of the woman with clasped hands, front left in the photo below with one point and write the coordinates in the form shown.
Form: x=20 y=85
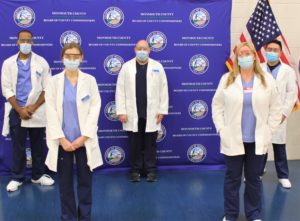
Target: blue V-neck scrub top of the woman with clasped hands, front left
x=70 y=124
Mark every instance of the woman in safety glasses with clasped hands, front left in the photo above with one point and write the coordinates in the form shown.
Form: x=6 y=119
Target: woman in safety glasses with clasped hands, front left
x=72 y=111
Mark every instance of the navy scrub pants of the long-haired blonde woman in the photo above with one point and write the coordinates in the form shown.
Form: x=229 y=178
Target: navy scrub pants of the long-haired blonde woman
x=252 y=164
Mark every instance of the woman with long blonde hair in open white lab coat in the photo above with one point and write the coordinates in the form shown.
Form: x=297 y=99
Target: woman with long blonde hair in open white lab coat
x=246 y=112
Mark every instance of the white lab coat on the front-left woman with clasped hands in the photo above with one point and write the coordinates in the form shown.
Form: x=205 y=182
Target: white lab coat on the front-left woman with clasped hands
x=88 y=114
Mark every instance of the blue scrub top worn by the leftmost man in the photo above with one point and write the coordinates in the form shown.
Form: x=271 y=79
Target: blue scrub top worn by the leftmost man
x=24 y=85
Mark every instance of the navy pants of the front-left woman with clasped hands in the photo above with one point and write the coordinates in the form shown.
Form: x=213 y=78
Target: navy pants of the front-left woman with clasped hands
x=69 y=210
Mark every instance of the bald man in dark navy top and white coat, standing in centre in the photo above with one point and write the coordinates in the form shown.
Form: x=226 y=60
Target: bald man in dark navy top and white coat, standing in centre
x=142 y=101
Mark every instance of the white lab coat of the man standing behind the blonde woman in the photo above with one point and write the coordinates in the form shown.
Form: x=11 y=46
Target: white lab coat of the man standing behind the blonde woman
x=287 y=89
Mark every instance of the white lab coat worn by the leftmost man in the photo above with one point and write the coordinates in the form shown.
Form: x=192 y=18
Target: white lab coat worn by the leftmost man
x=40 y=74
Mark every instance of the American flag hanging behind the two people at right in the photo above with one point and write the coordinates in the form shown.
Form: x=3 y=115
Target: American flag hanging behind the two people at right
x=261 y=28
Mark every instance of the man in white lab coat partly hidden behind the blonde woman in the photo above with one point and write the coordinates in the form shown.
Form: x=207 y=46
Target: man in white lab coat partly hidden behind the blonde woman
x=286 y=83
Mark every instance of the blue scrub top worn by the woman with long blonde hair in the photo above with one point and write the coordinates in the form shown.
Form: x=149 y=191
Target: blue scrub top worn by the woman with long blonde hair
x=248 y=117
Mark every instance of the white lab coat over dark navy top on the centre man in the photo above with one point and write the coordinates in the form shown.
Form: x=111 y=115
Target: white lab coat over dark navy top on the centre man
x=157 y=95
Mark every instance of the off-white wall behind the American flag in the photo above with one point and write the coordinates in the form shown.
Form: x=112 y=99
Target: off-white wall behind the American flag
x=287 y=14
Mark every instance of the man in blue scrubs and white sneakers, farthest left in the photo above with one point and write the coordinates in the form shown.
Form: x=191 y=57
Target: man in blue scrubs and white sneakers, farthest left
x=23 y=79
